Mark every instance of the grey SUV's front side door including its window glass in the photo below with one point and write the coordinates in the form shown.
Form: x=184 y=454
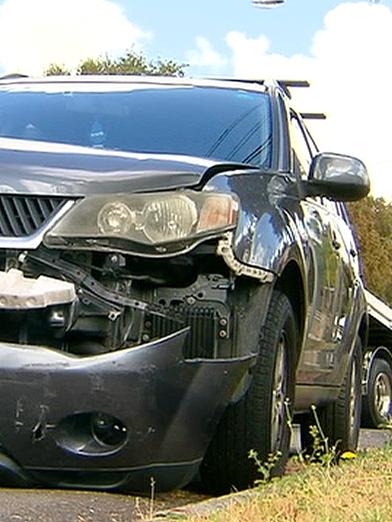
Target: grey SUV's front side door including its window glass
x=327 y=287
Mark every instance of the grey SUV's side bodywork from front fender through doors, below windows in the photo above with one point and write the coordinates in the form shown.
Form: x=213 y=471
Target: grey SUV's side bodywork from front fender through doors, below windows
x=277 y=227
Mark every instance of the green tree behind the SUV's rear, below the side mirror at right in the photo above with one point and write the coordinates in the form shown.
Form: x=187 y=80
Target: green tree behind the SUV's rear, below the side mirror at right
x=372 y=218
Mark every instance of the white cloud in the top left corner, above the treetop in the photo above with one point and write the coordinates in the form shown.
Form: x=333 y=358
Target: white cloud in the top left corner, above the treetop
x=36 y=33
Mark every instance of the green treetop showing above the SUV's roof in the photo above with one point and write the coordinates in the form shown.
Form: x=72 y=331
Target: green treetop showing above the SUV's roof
x=130 y=63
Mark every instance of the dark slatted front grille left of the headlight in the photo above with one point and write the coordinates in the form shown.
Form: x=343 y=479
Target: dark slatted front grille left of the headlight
x=21 y=216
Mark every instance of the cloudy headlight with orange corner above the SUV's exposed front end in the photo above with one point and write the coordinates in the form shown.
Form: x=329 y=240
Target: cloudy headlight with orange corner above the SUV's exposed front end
x=163 y=222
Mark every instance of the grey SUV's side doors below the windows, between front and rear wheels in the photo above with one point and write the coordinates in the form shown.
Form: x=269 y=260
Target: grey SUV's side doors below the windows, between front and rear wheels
x=336 y=303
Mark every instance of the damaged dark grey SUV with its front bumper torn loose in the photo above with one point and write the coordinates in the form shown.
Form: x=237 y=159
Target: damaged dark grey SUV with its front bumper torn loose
x=178 y=277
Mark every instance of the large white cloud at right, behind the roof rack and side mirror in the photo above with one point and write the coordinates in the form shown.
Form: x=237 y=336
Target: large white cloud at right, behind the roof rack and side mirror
x=349 y=66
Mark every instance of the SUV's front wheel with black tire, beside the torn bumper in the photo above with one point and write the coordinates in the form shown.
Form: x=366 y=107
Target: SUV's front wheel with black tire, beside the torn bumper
x=250 y=423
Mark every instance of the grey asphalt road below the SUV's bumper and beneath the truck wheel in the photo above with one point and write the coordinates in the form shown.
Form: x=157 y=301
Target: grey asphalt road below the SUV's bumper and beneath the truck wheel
x=19 y=505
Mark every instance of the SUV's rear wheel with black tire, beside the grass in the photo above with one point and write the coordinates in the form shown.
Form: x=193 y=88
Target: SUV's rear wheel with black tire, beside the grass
x=341 y=420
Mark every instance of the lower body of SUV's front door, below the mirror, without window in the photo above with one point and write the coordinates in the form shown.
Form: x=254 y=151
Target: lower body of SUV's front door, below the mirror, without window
x=321 y=361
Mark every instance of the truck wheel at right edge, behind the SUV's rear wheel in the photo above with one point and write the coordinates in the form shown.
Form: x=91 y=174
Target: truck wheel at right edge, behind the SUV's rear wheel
x=377 y=404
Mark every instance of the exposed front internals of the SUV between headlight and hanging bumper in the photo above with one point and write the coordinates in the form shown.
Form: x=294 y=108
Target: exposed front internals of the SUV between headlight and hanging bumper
x=106 y=302
